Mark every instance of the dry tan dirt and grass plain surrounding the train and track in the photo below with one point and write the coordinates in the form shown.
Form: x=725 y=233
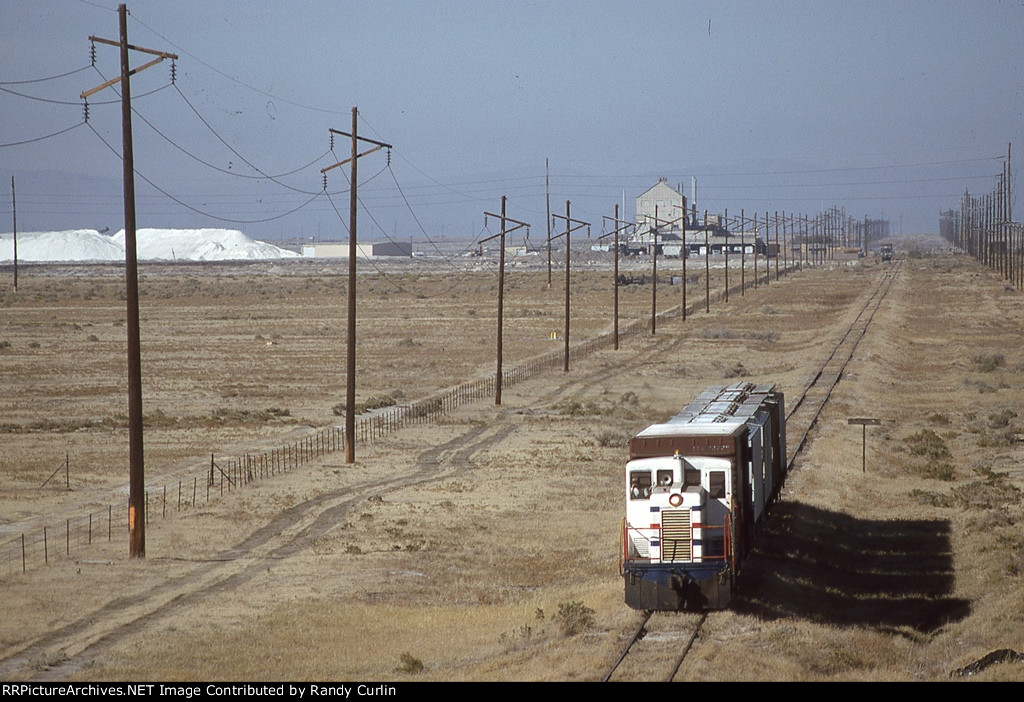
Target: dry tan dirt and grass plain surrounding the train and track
x=485 y=546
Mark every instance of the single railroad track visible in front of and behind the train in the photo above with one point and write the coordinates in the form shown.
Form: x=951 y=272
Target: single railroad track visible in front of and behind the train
x=803 y=415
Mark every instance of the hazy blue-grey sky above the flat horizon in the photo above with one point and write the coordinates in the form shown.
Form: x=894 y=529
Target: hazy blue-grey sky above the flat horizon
x=888 y=109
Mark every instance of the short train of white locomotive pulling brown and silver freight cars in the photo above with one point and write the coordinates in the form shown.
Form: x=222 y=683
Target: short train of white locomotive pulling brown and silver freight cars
x=698 y=490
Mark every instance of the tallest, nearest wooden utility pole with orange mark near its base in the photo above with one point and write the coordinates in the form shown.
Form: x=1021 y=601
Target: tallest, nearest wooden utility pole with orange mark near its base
x=137 y=471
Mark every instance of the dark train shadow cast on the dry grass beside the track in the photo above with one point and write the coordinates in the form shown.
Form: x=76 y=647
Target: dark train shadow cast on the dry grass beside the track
x=837 y=569
